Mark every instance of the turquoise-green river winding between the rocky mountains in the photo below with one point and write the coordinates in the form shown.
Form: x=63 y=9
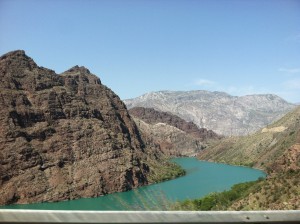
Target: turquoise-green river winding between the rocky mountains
x=202 y=178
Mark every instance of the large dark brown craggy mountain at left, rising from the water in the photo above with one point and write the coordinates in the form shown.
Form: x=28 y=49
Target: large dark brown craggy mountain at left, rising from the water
x=67 y=136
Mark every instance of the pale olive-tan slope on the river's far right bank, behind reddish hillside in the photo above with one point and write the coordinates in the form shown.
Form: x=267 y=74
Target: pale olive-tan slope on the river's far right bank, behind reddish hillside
x=260 y=149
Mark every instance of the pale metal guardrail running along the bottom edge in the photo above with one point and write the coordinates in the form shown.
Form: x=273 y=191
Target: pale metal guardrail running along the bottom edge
x=155 y=217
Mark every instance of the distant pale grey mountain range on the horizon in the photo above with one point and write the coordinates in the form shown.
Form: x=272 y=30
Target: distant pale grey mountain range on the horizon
x=224 y=114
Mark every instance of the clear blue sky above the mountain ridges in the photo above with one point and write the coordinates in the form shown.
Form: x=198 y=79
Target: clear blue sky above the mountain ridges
x=135 y=46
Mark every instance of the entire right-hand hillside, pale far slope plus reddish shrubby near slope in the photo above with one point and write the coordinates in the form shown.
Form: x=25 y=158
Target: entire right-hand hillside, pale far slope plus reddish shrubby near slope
x=276 y=150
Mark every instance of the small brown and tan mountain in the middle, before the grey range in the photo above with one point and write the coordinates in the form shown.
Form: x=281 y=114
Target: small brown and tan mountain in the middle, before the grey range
x=175 y=136
